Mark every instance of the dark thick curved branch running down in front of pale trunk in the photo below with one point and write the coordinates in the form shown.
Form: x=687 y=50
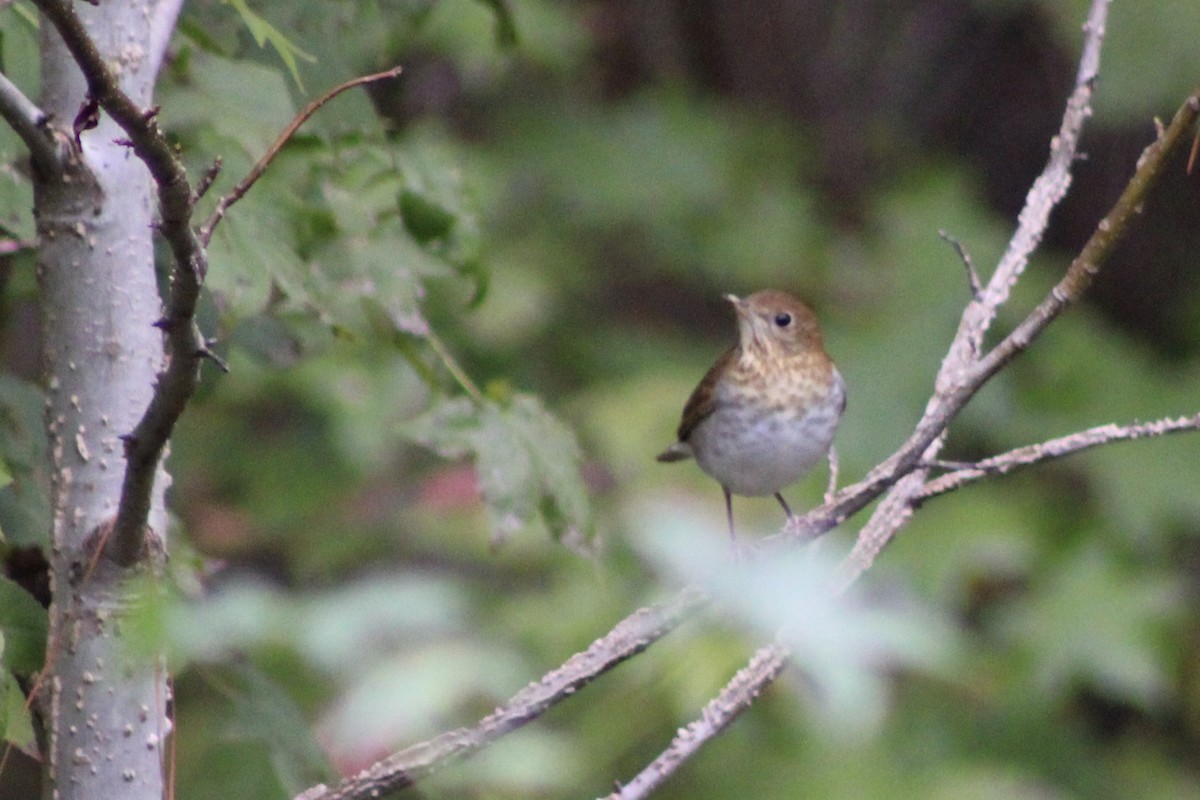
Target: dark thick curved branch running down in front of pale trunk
x=178 y=381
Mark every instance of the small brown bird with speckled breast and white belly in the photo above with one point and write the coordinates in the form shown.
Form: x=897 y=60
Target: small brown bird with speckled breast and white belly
x=767 y=411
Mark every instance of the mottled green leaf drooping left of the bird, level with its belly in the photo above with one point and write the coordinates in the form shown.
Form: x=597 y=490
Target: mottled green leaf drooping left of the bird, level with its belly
x=527 y=464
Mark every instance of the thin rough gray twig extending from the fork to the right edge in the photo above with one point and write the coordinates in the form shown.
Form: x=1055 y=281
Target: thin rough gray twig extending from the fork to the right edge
x=1054 y=449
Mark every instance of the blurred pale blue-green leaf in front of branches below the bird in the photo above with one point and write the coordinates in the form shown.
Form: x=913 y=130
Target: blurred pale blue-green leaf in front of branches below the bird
x=848 y=647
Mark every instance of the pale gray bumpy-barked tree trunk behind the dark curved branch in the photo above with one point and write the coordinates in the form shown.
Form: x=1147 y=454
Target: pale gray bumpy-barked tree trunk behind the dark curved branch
x=104 y=711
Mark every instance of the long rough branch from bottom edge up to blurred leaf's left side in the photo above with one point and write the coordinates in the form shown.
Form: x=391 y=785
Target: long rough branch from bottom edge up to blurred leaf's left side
x=629 y=637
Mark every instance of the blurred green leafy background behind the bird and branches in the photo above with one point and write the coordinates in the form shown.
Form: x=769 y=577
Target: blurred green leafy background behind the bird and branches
x=503 y=273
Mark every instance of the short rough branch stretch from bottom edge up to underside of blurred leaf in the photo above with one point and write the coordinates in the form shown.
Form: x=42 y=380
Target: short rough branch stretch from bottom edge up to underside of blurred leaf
x=737 y=696
